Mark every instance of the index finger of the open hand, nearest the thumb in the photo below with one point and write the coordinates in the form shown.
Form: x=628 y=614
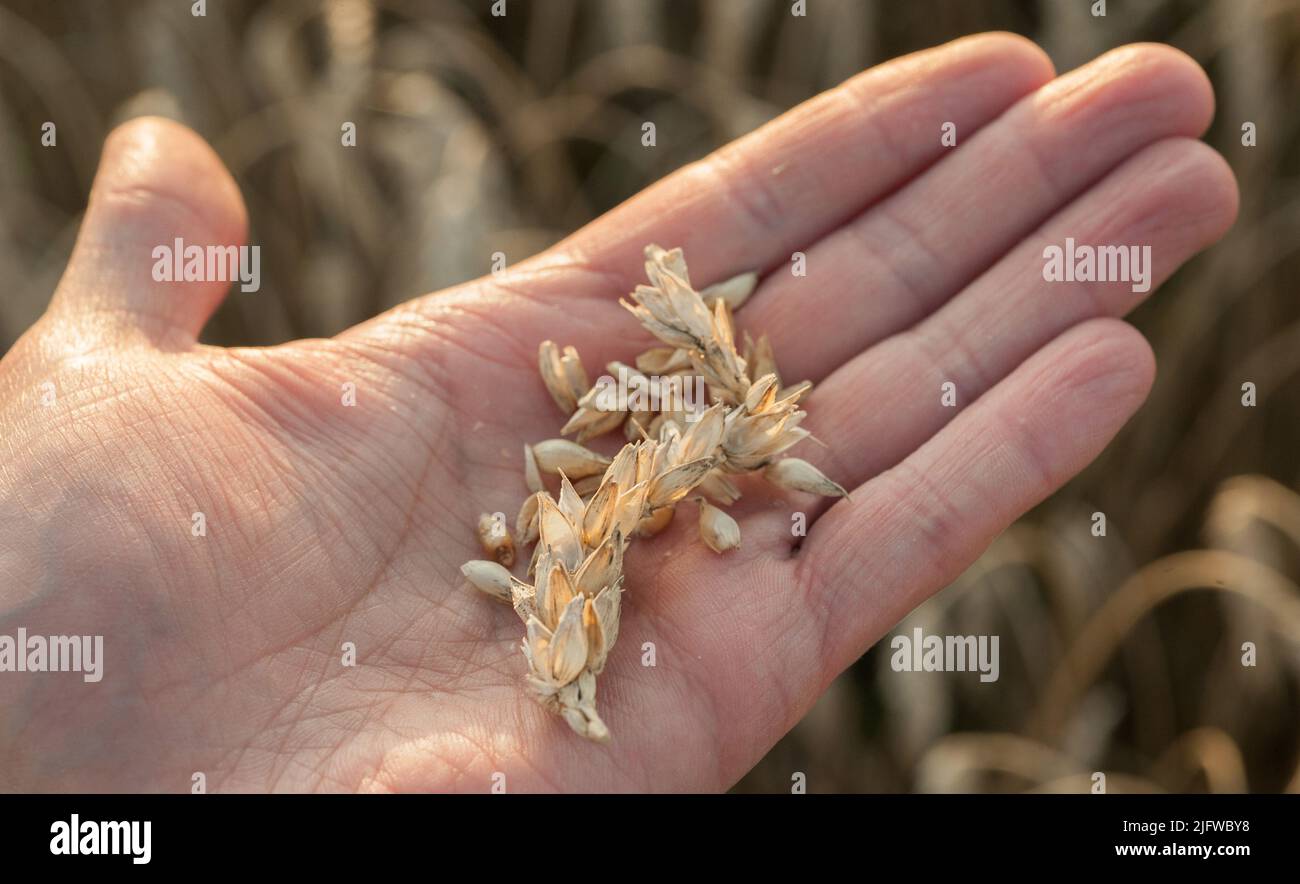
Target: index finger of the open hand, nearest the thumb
x=753 y=202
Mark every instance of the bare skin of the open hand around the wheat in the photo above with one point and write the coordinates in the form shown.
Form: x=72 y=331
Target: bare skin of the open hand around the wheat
x=331 y=525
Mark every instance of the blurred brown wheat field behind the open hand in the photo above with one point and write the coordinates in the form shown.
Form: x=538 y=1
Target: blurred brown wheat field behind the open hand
x=480 y=135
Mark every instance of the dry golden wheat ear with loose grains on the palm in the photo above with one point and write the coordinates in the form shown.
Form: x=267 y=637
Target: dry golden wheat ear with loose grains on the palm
x=571 y=609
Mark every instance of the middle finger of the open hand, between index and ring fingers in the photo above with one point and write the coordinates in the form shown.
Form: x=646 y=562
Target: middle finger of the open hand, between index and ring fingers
x=905 y=257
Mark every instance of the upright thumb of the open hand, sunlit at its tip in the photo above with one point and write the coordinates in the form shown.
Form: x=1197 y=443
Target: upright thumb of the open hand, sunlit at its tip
x=158 y=183
